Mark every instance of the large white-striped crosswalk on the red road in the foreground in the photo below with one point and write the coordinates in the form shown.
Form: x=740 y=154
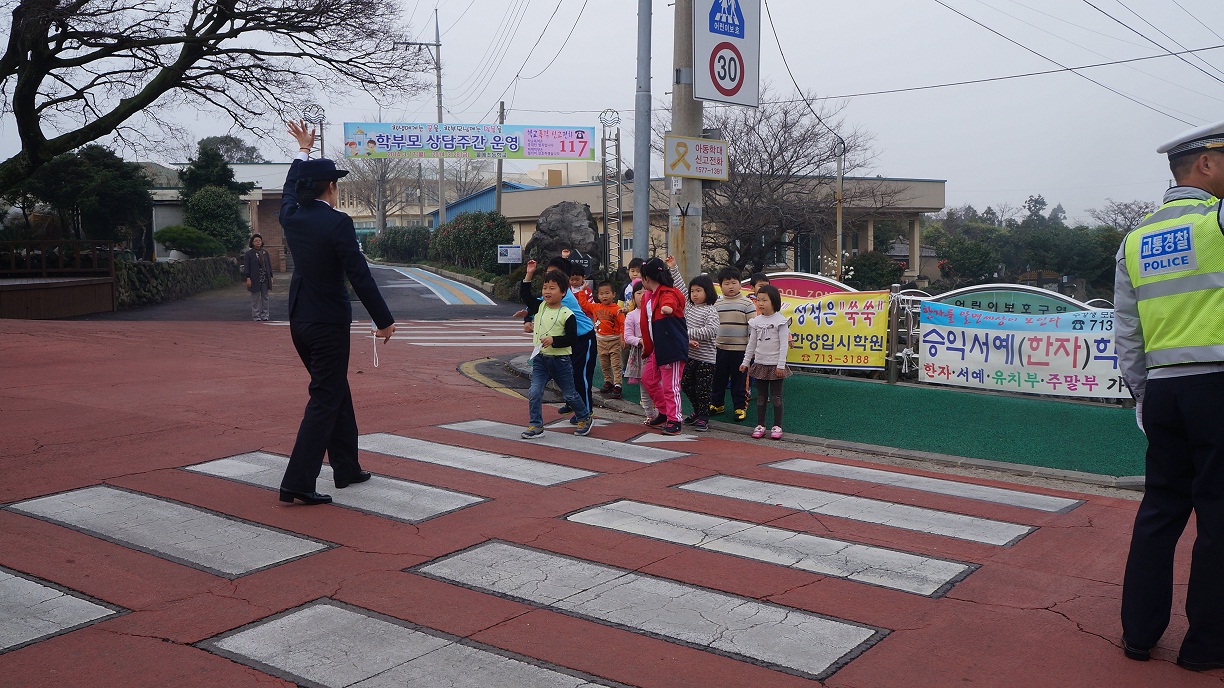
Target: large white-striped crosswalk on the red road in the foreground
x=686 y=514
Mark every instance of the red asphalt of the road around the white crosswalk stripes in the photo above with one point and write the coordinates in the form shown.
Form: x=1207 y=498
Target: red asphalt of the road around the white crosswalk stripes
x=127 y=403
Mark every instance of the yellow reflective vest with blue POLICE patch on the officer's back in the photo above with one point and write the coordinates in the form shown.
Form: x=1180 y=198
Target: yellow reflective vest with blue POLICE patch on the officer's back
x=1176 y=261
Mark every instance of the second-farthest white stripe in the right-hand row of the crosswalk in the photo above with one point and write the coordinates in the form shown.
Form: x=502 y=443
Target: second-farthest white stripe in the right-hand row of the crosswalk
x=864 y=510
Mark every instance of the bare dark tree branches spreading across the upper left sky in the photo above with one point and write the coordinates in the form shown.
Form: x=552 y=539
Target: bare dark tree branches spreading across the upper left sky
x=78 y=70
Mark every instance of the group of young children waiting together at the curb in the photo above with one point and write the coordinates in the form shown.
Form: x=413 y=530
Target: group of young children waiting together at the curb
x=666 y=341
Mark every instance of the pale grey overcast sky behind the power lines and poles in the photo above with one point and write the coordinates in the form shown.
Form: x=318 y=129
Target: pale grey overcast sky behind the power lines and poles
x=1058 y=135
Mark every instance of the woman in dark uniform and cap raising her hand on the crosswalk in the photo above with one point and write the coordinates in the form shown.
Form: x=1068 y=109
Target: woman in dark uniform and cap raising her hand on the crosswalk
x=325 y=248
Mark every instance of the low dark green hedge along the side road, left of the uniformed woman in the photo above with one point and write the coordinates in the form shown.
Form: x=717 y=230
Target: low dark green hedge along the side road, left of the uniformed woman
x=143 y=283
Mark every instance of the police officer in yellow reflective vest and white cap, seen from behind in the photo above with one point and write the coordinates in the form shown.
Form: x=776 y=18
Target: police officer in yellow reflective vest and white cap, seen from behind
x=1170 y=332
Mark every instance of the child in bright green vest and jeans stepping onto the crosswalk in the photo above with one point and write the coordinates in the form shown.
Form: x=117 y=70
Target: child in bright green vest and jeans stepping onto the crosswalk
x=555 y=332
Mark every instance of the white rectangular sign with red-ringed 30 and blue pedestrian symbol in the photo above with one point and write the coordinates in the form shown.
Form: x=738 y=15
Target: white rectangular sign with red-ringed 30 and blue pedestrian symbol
x=726 y=52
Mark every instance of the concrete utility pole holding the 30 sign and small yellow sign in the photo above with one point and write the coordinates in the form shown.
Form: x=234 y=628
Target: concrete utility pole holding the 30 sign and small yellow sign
x=685 y=239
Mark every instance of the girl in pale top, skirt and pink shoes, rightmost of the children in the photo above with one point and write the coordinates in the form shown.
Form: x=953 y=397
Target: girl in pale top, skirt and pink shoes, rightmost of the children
x=769 y=340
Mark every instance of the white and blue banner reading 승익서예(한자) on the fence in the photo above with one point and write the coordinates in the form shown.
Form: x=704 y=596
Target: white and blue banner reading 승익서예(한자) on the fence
x=1061 y=354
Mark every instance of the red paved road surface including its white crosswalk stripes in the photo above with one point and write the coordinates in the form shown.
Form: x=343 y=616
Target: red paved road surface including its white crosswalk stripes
x=143 y=543
